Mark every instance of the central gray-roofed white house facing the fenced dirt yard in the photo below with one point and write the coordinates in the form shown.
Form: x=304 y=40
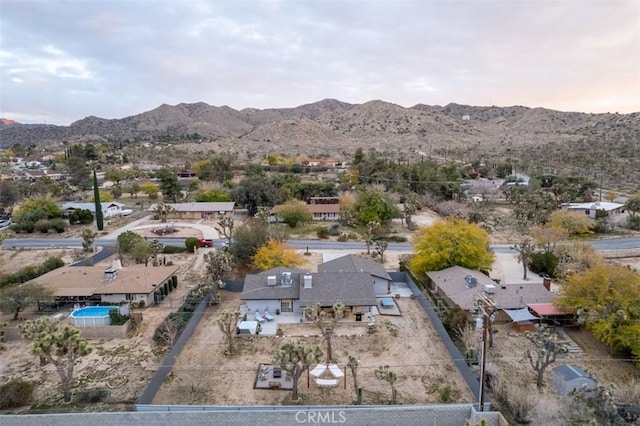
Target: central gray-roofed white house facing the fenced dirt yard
x=291 y=290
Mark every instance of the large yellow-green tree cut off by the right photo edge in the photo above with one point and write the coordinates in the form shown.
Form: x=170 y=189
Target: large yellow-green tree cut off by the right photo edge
x=605 y=299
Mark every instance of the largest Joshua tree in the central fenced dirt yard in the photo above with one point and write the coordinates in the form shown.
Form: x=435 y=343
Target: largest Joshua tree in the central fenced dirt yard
x=295 y=357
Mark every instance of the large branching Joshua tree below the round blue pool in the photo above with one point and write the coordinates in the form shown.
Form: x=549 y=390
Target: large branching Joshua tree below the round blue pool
x=62 y=346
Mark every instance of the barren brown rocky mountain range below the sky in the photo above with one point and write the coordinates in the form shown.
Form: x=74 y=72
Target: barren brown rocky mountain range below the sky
x=537 y=138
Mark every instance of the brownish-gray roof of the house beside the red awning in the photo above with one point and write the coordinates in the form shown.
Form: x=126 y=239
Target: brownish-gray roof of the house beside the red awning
x=451 y=282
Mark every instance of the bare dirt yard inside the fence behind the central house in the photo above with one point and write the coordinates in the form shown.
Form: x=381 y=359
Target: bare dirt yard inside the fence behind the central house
x=204 y=375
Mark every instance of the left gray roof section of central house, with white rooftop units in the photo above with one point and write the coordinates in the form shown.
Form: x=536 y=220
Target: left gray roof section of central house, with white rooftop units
x=255 y=285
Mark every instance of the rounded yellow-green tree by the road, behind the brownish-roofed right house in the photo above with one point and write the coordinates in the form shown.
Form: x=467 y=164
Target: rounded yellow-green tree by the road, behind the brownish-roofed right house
x=449 y=243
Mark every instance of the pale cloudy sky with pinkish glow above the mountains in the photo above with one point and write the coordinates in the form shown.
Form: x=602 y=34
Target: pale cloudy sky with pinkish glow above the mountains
x=61 y=61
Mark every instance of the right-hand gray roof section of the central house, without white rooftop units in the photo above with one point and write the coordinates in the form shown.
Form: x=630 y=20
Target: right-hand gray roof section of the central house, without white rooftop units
x=350 y=288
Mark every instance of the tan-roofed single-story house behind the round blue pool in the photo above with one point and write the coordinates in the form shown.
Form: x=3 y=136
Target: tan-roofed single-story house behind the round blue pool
x=93 y=284
